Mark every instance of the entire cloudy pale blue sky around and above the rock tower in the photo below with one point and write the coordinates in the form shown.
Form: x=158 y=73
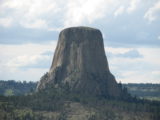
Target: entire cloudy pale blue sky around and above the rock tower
x=29 y=31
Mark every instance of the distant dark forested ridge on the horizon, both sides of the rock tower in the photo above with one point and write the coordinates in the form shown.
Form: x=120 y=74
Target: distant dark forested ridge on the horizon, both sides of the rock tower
x=142 y=90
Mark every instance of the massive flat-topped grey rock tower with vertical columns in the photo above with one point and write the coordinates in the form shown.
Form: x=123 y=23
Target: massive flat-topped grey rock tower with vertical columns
x=80 y=62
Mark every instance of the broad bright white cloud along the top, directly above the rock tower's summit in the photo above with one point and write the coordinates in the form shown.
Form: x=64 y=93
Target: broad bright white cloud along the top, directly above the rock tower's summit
x=47 y=14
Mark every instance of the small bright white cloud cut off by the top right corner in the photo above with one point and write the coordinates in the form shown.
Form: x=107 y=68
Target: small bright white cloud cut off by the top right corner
x=153 y=13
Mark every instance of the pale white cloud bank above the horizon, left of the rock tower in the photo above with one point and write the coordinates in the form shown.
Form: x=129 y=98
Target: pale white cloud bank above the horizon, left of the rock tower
x=25 y=61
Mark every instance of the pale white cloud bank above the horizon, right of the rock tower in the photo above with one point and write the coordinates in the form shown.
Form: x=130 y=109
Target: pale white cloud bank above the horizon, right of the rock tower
x=139 y=70
